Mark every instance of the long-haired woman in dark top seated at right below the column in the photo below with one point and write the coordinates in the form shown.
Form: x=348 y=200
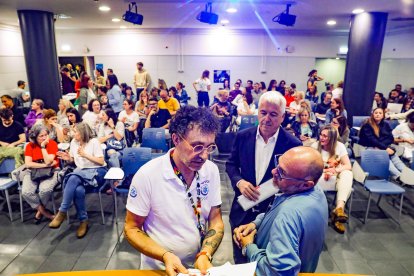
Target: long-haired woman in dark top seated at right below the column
x=376 y=133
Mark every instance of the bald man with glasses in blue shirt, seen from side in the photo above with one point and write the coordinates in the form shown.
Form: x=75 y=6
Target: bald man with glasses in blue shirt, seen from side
x=290 y=235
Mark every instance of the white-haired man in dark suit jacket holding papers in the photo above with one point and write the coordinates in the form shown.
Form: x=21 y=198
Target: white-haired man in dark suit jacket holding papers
x=250 y=150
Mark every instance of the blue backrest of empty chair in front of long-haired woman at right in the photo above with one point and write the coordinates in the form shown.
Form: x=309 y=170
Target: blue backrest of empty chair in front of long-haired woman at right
x=376 y=163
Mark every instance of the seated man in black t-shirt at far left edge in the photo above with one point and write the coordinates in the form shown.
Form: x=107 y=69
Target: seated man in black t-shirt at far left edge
x=12 y=138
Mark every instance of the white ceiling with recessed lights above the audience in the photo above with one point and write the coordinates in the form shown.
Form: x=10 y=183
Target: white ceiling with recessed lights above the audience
x=312 y=15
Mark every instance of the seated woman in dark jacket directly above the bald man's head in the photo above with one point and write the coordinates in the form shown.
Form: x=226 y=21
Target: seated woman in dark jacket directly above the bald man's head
x=305 y=129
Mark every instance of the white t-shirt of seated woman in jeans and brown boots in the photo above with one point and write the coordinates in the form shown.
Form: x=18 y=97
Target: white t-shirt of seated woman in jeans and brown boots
x=93 y=147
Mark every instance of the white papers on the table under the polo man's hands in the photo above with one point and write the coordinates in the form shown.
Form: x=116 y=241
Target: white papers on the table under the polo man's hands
x=226 y=270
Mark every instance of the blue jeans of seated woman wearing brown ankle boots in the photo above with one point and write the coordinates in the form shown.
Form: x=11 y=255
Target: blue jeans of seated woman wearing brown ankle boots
x=74 y=191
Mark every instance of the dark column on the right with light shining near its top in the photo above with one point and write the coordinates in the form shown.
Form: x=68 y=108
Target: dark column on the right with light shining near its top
x=366 y=38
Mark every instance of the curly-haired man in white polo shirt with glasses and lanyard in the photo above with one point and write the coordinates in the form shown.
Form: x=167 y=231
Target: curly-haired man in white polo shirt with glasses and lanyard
x=173 y=209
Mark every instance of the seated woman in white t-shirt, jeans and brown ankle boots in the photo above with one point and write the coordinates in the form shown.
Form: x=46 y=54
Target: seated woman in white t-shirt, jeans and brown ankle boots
x=87 y=155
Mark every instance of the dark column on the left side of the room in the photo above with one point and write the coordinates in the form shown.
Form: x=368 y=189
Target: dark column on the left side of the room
x=38 y=35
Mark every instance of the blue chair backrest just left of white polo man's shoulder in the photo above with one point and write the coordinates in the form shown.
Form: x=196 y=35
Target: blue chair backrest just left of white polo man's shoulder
x=135 y=158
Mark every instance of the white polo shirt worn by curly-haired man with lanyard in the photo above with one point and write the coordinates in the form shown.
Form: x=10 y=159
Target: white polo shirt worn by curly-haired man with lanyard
x=157 y=194
